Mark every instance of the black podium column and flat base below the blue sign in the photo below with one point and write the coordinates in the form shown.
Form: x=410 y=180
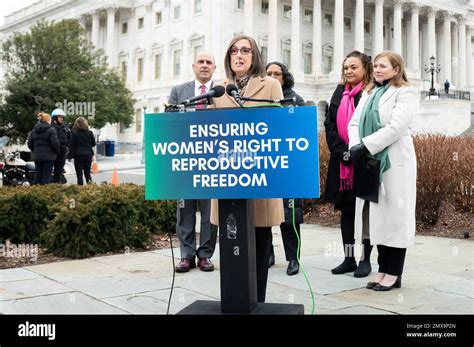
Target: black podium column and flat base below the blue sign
x=238 y=268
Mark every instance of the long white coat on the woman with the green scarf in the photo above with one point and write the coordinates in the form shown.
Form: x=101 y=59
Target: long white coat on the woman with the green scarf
x=392 y=219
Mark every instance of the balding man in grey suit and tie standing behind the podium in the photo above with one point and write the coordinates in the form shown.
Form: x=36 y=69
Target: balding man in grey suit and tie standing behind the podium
x=204 y=67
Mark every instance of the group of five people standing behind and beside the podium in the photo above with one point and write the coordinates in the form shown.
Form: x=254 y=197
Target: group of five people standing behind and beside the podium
x=368 y=120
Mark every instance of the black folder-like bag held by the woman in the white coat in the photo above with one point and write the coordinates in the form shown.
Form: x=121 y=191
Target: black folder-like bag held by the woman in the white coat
x=367 y=179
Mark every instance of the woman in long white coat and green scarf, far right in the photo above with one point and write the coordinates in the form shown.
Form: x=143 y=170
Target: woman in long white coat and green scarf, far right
x=380 y=128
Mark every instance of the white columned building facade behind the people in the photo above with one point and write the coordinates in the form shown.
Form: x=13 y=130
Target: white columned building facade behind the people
x=152 y=44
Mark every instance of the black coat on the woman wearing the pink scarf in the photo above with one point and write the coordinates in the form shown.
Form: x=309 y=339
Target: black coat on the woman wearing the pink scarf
x=345 y=199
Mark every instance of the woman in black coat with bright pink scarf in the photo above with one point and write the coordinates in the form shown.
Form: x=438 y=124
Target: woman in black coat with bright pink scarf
x=356 y=77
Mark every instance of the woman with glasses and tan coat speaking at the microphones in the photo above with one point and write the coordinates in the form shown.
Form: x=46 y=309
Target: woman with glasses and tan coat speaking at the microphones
x=245 y=69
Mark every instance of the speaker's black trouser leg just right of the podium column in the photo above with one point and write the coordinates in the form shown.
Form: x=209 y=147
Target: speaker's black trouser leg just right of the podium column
x=263 y=244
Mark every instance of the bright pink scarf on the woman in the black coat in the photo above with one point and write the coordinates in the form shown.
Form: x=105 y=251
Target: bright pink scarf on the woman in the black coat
x=344 y=114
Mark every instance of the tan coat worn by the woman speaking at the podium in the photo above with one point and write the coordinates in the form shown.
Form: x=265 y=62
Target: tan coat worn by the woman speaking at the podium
x=268 y=212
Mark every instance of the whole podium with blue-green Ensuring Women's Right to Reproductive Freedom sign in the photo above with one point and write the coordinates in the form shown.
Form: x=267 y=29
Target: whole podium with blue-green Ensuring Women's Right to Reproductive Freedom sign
x=238 y=272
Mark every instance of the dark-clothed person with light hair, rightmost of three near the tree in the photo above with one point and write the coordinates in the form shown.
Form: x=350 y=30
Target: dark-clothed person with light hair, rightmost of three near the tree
x=80 y=148
